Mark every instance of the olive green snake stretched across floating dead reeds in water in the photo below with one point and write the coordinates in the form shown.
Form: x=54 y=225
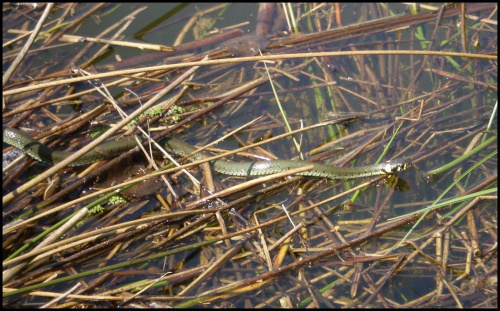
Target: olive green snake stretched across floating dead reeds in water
x=42 y=153
